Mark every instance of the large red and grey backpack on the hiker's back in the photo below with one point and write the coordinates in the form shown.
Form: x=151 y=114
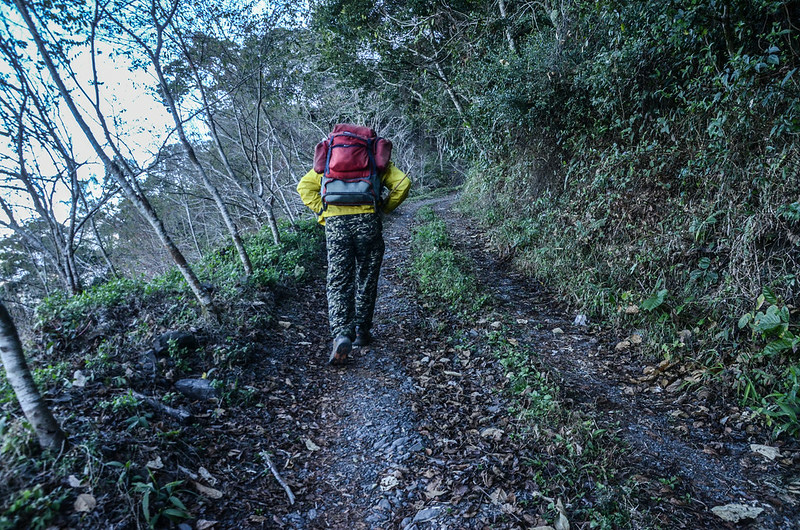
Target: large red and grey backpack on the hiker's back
x=352 y=160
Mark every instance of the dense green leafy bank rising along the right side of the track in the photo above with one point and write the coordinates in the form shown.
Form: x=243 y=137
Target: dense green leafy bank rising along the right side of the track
x=641 y=157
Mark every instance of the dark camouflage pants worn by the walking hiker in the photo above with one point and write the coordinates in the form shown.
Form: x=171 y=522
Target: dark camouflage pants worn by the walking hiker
x=355 y=252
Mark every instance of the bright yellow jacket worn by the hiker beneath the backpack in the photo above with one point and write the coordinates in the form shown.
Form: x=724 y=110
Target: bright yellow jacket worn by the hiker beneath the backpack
x=310 y=185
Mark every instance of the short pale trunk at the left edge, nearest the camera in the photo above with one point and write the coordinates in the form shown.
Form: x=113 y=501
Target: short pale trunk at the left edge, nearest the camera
x=47 y=430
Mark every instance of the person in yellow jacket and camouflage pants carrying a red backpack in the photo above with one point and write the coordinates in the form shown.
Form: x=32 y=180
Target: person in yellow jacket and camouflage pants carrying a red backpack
x=344 y=190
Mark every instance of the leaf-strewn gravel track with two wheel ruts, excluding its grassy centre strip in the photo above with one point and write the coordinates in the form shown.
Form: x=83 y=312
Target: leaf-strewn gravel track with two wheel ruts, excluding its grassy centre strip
x=418 y=430
